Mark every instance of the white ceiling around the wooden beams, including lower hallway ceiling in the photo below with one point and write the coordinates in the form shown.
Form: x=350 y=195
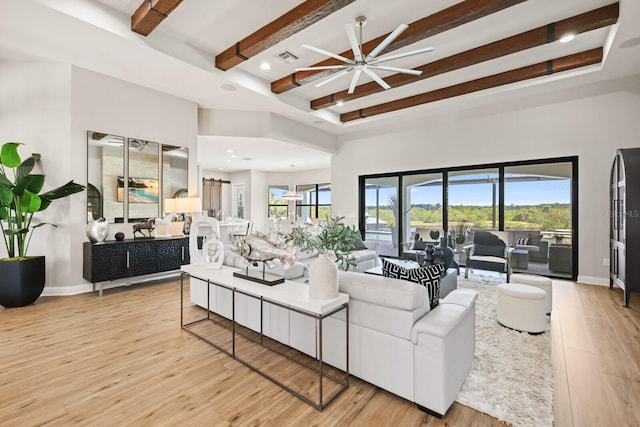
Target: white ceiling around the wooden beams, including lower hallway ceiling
x=178 y=57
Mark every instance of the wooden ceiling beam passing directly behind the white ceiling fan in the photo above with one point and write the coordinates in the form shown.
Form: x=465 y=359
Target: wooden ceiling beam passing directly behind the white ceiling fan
x=446 y=19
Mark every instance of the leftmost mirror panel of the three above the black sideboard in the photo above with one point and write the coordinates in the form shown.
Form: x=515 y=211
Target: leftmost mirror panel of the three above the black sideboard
x=105 y=154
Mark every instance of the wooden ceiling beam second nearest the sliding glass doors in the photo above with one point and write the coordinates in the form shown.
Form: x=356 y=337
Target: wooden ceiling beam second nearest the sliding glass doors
x=598 y=18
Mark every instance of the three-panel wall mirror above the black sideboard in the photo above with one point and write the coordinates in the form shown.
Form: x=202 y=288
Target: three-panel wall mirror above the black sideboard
x=131 y=184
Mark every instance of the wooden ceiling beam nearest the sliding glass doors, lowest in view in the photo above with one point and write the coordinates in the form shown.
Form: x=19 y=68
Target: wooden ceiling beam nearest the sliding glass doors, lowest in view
x=570 y=62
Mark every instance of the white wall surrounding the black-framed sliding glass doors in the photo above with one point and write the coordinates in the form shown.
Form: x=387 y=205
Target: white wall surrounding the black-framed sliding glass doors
x=589 y=122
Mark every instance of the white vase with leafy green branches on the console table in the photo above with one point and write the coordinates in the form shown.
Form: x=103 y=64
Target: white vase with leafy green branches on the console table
x=334 y=237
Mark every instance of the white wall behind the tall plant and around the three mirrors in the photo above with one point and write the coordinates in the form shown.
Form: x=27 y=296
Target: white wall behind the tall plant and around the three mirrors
x=51 y=107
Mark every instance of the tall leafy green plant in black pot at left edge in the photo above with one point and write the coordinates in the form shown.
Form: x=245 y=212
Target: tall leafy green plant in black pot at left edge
x=22 y=277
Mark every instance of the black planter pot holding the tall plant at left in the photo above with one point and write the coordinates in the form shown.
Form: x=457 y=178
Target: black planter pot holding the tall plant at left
x=21 y=281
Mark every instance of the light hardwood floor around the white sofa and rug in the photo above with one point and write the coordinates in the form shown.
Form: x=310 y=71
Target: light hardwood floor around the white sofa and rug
x=124 y=360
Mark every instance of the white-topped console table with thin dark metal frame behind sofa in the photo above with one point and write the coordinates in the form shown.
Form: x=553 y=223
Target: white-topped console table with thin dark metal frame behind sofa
x=292 y=296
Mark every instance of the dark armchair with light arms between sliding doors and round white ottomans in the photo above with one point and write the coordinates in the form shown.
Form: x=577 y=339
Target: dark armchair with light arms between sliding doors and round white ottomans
x=488 y=252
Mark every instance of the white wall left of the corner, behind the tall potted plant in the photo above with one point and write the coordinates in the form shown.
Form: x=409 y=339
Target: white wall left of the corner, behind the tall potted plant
x=35 y=100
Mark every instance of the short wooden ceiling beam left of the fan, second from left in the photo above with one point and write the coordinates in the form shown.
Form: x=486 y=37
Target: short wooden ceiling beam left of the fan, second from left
x=297 y=19
